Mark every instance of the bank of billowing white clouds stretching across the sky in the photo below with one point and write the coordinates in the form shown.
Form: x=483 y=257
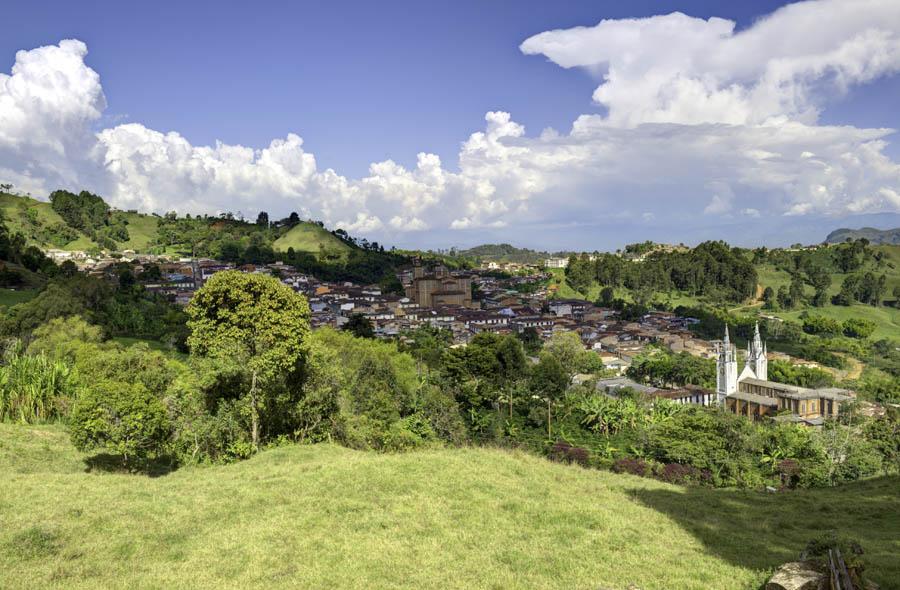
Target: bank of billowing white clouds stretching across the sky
x=702 y=124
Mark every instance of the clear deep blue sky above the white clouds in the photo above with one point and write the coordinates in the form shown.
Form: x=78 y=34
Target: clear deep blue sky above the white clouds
x=359 y=81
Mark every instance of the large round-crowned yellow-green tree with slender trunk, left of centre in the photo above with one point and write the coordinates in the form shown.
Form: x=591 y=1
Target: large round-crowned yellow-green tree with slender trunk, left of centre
x=256 y=322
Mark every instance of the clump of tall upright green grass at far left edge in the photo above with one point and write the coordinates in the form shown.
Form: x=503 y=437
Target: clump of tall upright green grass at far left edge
x=33 y=388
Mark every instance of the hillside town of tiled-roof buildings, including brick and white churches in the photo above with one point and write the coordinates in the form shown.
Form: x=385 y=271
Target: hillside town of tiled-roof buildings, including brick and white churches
x=519 y=301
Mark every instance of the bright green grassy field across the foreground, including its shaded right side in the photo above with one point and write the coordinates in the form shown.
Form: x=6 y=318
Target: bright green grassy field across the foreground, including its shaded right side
x=328 y=517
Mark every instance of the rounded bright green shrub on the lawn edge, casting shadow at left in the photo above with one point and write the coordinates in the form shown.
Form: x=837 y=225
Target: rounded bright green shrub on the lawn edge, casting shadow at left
x=124 y=419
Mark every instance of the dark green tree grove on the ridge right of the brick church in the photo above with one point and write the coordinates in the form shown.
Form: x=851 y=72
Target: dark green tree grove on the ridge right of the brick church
x=712 y=269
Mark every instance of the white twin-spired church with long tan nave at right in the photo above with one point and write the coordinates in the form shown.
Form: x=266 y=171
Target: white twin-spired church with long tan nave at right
x=751 y=394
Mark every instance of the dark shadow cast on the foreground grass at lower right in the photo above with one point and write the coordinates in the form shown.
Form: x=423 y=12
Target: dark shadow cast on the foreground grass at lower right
x=762 y=531
